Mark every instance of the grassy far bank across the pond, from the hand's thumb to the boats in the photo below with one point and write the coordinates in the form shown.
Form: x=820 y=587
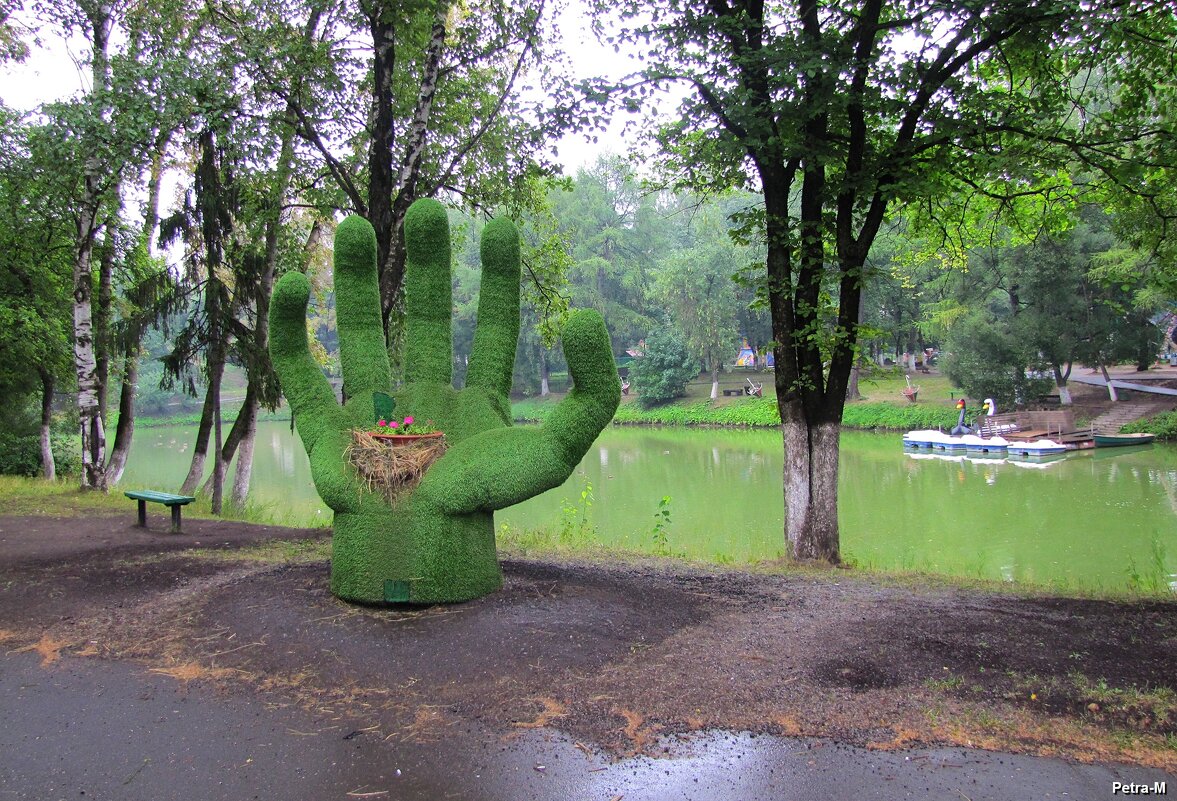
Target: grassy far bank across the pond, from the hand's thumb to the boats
x=883 y=405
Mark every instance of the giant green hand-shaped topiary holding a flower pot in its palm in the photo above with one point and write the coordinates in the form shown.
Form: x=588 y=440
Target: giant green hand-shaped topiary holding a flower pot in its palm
x=436 y=544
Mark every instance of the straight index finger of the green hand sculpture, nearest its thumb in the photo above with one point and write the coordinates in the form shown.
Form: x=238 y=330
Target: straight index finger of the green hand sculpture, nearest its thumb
x=493 y=356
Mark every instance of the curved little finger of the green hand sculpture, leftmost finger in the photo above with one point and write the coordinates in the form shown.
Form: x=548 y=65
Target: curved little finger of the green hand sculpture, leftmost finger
x=303 y=383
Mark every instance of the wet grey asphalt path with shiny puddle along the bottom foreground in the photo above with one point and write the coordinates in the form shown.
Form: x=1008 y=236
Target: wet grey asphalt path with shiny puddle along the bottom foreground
x=99 y=731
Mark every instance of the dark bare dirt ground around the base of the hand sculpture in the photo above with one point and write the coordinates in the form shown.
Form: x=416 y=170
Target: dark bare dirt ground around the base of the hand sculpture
x=616 y=657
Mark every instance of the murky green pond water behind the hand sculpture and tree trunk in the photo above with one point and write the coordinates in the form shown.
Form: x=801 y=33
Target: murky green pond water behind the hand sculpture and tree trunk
x=1098 y=520
